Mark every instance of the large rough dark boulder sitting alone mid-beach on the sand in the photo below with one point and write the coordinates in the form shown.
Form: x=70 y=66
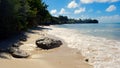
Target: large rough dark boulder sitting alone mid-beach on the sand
x=48 y=43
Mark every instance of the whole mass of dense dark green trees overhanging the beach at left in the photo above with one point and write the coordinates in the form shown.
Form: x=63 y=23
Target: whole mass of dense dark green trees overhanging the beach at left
x=18 y=15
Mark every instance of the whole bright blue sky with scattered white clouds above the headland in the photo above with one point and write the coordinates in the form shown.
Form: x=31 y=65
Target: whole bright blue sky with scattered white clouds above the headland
x=106 y=11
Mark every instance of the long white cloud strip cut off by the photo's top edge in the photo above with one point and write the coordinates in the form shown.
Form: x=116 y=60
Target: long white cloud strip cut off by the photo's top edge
x=98 y=1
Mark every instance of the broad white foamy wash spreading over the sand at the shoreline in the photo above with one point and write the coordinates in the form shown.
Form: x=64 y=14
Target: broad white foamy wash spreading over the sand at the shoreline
x=101 y=52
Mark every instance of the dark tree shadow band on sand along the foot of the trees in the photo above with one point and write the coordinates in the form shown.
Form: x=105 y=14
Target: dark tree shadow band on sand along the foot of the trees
x=8 y=42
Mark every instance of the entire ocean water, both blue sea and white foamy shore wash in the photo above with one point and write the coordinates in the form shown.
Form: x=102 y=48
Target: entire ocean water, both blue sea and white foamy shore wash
x=99 y=43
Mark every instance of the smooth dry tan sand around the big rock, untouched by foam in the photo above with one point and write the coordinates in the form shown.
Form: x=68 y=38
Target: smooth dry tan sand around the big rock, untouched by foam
x=62 y=57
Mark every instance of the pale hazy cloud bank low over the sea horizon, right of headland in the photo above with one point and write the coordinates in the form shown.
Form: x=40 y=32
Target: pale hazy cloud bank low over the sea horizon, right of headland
x=109 y=19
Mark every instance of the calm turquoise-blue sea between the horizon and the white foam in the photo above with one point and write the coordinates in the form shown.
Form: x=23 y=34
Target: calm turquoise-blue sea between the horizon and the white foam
x=106 y=30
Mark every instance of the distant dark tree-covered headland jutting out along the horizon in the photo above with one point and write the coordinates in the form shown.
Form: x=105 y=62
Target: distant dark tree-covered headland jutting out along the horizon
x=66 y=20
